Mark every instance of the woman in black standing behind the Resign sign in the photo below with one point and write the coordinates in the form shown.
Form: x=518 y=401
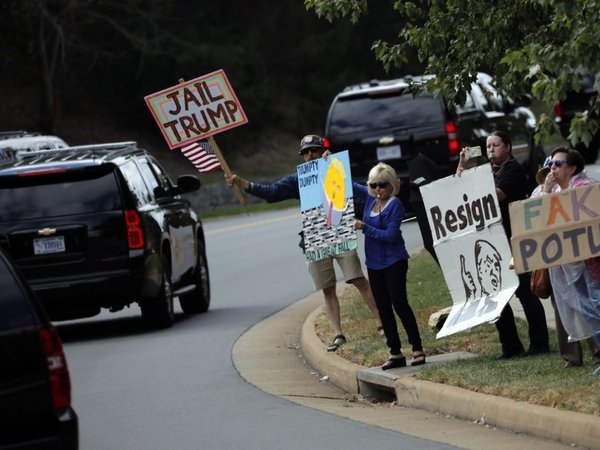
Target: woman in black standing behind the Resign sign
x=508 y=178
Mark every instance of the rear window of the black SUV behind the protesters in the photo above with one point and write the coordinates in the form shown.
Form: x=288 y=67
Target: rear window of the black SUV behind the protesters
x=362 y=113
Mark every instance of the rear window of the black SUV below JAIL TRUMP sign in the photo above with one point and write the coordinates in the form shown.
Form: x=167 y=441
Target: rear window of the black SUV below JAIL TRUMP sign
x=68 y=193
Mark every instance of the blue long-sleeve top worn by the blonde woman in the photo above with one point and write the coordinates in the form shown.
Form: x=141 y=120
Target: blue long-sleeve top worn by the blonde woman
x=384 y=244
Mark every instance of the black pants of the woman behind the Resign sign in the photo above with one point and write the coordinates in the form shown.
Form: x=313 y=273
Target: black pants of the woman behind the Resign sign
x=536 y=319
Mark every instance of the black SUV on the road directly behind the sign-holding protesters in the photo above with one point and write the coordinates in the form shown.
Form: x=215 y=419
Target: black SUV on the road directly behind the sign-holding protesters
x=383 y=121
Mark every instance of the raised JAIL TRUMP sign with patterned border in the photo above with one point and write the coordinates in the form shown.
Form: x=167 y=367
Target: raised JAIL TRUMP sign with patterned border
x=196 y=109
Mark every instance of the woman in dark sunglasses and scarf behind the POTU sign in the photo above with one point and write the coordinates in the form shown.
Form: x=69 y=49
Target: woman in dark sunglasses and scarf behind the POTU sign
x=576 y=286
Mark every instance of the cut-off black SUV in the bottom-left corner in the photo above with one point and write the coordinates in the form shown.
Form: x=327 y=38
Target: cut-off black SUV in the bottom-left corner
x=35 y=388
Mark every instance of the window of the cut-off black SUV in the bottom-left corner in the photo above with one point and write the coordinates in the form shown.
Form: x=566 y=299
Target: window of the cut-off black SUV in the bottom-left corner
x=14 y=308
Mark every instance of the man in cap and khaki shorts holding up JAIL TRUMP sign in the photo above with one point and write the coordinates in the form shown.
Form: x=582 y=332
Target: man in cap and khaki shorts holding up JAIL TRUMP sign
x=322 y=271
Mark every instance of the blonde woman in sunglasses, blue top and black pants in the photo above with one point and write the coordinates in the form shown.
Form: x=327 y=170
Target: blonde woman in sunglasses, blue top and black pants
x=387 y=261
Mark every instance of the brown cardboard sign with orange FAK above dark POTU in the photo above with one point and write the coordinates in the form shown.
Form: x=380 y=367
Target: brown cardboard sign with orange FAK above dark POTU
x=556 y=228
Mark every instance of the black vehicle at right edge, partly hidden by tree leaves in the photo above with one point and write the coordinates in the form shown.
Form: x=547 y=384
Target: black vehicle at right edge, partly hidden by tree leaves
x=578 y=102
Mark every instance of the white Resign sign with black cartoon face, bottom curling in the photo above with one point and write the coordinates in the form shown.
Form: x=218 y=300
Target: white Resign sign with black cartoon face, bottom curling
x=471 y=245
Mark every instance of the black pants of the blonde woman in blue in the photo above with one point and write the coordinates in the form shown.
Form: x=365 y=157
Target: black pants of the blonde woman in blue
x=389 y=290
